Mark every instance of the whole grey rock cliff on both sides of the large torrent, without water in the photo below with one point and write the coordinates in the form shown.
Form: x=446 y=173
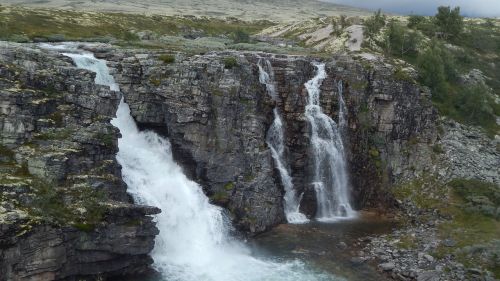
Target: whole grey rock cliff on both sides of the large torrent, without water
x=64 y=211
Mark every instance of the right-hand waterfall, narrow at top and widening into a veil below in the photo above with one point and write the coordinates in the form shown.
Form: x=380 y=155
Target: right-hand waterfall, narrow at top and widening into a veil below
x=330 y=178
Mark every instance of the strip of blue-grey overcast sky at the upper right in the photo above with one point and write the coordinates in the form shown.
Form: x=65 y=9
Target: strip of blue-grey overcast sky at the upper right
x=475 y=8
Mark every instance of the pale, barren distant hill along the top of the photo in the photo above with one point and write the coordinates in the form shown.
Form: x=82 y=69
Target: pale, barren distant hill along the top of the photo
x=275 y=10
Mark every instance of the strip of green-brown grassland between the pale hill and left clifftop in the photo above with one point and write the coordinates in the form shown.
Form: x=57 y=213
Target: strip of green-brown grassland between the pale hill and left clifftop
x=58 y=25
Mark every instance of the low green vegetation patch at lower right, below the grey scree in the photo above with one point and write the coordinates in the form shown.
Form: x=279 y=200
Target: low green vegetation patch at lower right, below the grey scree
x=472 y=207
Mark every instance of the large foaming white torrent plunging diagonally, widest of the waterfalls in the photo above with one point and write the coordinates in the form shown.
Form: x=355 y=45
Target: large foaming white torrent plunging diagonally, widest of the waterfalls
x=193 y=243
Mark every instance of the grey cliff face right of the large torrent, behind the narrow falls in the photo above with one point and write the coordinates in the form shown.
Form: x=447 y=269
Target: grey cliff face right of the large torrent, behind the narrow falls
x=217 y=115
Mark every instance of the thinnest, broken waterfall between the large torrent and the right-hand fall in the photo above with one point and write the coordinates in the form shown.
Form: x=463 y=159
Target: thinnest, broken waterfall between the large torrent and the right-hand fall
x=275 y=141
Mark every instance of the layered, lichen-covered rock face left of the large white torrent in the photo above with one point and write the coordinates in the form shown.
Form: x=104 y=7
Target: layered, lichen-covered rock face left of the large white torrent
x=64 y=211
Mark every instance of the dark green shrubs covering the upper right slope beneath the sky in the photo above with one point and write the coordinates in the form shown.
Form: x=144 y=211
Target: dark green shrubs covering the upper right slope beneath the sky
x=443 y=48
